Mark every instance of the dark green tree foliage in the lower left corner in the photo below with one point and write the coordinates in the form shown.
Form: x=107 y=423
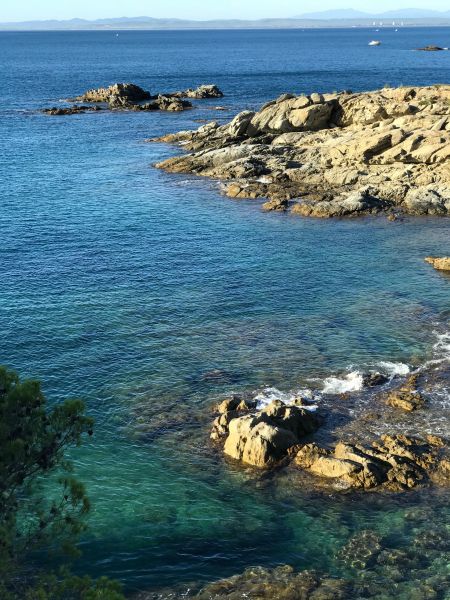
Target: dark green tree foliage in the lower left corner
x=33 y=516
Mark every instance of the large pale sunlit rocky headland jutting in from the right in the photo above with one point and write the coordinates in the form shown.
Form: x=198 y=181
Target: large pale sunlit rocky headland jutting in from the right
x=331 y=155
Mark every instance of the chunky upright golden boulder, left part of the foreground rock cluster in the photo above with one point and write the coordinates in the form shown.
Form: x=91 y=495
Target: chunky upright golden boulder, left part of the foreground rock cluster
x=262 y=438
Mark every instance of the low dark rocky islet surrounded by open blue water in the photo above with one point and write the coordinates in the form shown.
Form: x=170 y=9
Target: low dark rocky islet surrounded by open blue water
x=128 y=96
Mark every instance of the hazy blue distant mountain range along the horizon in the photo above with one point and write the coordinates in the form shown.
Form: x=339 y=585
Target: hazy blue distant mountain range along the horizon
x=329 y=18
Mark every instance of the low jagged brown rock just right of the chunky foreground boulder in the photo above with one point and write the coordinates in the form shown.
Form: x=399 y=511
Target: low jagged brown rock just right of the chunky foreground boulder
x=394 y=462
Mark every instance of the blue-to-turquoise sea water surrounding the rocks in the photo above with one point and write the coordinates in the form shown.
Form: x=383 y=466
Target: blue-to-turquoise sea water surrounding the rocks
x=126 y=286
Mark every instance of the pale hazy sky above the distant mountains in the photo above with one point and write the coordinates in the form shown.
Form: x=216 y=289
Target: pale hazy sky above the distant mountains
x=194 y=9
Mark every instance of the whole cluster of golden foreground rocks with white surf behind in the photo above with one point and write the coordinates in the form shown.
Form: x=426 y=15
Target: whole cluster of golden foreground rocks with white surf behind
x=298 y=435
